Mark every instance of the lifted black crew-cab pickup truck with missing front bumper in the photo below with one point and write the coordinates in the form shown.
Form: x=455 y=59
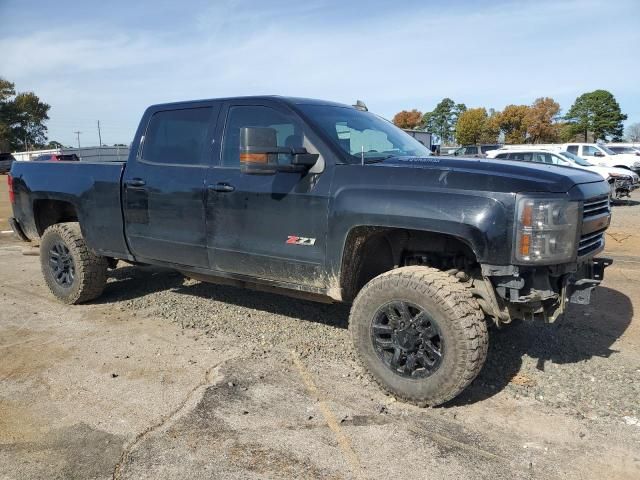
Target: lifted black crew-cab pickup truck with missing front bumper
x=333 y=203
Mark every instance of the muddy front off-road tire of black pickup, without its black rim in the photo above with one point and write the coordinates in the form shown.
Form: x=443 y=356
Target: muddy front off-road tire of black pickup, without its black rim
x=458 y=316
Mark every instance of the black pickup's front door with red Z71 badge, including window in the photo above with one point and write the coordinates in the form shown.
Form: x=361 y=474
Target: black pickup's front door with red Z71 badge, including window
x=268 y=226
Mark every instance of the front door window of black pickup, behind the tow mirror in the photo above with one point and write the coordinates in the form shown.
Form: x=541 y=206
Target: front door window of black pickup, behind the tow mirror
x=288 y=131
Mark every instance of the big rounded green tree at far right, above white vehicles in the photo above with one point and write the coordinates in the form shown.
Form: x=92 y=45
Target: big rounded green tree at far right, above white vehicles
x=598 y=113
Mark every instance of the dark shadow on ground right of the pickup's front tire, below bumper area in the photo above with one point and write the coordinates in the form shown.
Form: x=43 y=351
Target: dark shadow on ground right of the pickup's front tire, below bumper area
x=585 y=332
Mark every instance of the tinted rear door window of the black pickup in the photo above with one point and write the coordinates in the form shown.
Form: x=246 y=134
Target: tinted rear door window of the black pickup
x=178 y=137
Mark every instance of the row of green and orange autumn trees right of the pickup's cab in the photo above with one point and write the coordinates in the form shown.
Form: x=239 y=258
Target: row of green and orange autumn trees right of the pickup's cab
x=593 y=116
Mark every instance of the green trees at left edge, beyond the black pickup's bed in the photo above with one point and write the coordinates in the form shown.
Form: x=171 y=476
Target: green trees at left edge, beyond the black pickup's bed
x=22 y=118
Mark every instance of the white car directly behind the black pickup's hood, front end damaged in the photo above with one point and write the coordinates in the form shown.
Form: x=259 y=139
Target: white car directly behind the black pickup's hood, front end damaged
x=622 y=180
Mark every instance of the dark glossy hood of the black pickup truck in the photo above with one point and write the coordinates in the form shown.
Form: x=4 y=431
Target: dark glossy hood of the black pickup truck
x=488 y=175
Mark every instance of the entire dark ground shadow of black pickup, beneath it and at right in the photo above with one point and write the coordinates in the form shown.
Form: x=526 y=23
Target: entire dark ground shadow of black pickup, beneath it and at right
x=584 y=332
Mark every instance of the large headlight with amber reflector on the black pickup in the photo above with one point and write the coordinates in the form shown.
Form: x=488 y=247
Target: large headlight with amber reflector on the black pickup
x=545 y=229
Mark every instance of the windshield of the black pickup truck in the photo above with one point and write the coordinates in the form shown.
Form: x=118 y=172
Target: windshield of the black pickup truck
x=363 y=135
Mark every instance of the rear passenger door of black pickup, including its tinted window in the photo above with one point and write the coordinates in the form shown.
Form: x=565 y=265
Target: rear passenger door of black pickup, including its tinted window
x=164 y=196
